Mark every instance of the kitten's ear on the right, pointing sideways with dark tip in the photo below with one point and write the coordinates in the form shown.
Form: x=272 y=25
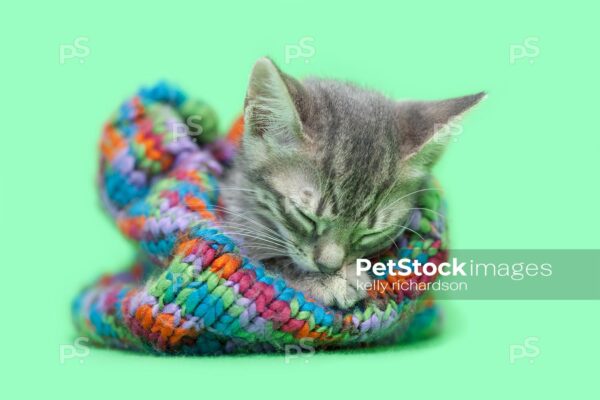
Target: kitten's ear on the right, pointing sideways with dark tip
x=426 y=126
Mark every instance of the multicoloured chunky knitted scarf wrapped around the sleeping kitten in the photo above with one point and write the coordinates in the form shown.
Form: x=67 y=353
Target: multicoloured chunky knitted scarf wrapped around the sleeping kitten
x=191 y=290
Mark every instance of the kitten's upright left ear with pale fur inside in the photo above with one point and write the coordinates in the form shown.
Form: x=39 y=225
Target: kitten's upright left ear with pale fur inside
x=269 y=109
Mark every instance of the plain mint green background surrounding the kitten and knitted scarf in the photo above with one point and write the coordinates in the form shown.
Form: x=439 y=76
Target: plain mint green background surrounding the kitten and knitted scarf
x=522 y=174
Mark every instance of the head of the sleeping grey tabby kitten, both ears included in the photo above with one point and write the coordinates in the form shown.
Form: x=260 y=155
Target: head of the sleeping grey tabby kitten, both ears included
x=334 y=167
